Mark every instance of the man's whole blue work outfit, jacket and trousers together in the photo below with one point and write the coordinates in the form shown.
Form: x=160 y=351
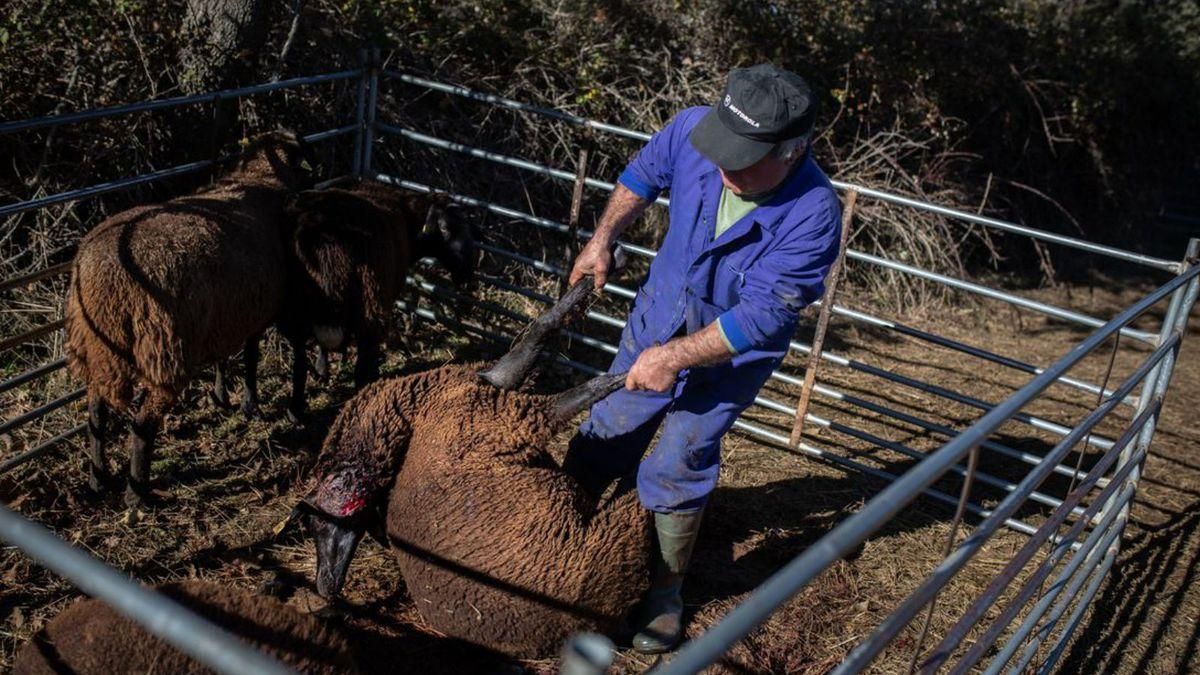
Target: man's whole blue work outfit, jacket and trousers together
x=754 y=279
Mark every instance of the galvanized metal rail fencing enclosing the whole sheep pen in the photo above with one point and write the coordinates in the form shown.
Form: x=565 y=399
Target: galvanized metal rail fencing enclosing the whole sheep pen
x=1081 y=531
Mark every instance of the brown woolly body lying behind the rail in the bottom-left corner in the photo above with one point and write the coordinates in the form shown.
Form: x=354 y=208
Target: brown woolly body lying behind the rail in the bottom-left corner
x=91 y=638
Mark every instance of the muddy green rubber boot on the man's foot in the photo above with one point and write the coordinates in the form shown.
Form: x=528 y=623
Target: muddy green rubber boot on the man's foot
x=662 y=618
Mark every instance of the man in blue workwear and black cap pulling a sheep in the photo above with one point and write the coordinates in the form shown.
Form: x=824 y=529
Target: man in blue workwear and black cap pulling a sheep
x=753 y=232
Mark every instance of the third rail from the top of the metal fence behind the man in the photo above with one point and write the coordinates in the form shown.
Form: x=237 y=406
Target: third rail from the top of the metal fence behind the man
x=547 y=224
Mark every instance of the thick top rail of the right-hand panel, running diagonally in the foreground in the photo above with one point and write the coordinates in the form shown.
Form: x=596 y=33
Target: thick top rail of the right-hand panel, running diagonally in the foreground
x=849 y=534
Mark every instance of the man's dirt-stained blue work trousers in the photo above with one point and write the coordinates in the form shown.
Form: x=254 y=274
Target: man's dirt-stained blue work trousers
x=683 y=468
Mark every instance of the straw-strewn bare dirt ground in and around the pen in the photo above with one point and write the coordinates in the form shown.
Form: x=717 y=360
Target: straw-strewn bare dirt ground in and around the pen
x=226 y=482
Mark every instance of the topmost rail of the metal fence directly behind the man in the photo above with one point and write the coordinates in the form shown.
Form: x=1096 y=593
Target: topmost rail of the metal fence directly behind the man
x=995 y=224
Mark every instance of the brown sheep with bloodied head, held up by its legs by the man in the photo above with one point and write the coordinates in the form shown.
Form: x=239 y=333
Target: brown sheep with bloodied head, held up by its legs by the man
x=497 y=545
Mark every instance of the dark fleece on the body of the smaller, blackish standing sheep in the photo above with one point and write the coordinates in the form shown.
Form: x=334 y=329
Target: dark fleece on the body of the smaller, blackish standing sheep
x=353 y=248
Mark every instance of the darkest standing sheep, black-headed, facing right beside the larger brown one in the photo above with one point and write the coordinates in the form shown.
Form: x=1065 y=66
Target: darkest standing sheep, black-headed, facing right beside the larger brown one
x=352 y=250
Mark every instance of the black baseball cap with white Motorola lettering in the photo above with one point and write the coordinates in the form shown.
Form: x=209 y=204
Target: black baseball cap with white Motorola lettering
x=763 y=105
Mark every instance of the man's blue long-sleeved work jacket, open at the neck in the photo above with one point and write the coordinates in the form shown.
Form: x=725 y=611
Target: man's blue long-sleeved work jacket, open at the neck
x=755 y=278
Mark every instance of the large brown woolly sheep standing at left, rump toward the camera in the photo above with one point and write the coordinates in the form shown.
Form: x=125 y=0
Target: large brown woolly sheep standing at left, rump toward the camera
x=159 y=292
